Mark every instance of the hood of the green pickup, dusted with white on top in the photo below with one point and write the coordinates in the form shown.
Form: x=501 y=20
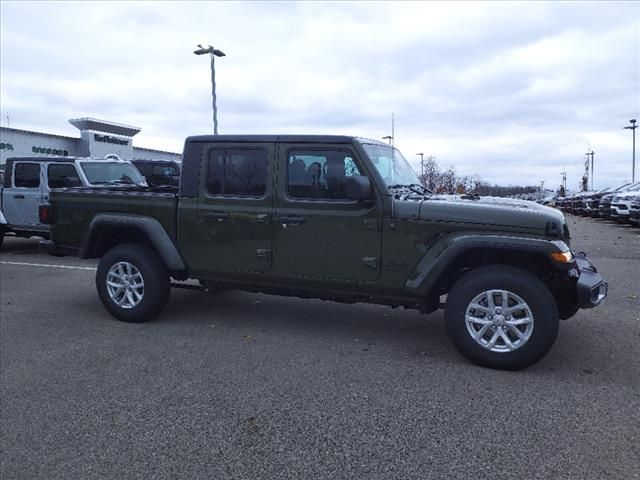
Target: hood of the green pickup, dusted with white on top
x=495 y=213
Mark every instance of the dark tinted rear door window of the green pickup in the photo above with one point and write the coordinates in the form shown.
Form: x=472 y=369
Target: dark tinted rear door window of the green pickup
x=240 y=172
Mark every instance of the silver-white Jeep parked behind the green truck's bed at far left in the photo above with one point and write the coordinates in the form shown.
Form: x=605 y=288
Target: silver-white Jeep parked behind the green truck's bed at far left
x=29 y=180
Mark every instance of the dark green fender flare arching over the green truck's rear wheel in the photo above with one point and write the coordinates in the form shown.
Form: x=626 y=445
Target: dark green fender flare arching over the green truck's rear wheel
x=151 y=227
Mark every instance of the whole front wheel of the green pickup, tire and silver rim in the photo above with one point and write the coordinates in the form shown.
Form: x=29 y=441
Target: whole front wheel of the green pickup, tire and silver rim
x=501 y=317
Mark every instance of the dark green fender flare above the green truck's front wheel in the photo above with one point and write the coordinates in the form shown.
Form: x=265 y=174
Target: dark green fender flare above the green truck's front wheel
x=445 y=251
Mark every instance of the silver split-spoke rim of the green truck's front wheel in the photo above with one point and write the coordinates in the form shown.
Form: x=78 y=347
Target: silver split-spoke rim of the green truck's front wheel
x=499 y=321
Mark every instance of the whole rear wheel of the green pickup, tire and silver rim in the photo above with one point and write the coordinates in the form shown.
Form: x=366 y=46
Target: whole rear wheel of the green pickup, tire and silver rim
x=133 y=283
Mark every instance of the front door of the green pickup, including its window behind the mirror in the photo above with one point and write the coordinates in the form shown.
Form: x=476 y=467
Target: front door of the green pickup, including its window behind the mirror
x=319 y=233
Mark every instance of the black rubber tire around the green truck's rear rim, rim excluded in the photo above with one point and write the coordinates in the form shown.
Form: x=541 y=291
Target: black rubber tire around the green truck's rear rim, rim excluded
x=154 y=274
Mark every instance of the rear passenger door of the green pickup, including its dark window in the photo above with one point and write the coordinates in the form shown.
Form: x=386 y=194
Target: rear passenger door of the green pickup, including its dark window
x=234 y=210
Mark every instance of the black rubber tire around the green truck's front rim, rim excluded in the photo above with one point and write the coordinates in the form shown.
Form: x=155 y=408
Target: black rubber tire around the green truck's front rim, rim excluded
x=525 y=285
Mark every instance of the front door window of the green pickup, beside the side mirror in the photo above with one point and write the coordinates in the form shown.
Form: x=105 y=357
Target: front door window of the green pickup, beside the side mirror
x=319 y=174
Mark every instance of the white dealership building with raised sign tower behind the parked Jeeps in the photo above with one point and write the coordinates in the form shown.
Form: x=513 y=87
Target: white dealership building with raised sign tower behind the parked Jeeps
x=98 y=138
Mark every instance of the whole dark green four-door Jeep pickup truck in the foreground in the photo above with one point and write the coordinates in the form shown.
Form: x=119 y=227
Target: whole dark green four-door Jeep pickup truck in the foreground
x=338 y=218
